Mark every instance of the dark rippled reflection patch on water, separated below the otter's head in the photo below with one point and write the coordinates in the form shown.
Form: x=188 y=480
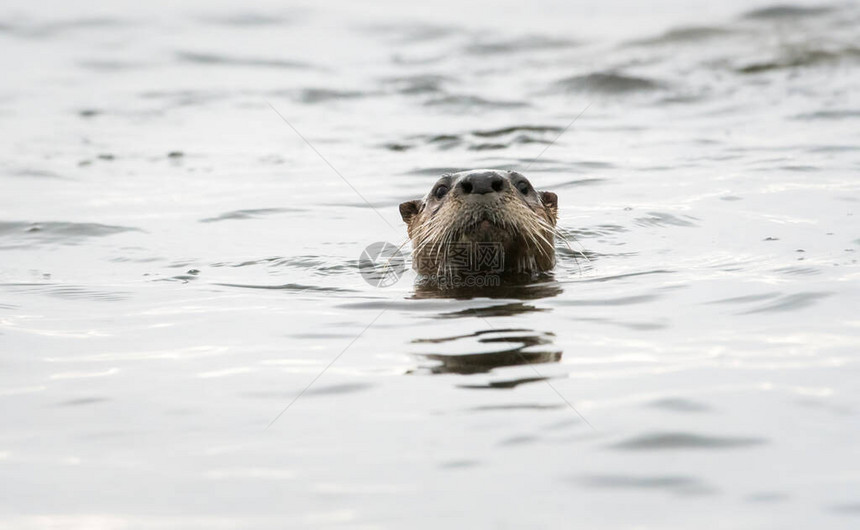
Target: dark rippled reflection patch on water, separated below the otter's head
x=519 y=348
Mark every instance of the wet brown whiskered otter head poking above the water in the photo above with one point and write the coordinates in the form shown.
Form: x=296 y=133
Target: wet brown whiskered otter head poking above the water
x=482 y=220
